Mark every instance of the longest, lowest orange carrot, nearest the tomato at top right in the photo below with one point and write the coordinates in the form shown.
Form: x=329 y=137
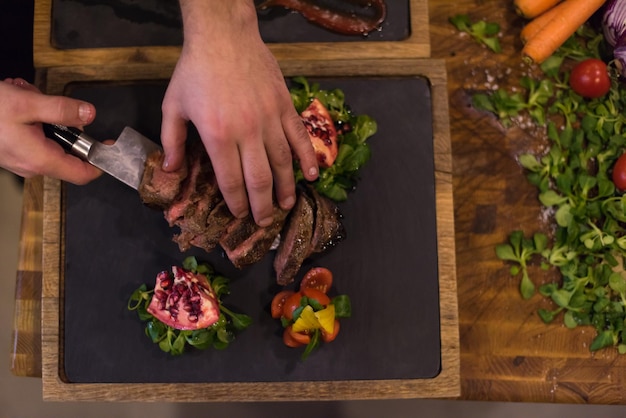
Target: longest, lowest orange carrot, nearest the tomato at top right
x=573 y=14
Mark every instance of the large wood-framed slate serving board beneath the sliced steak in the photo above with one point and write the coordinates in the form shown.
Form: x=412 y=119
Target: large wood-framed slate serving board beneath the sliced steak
x=79 y=364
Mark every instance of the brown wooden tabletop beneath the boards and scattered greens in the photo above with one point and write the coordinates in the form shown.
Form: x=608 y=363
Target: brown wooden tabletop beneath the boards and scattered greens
x=507 y=352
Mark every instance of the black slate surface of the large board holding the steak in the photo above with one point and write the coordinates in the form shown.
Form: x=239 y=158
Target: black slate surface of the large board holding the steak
x=388 y=263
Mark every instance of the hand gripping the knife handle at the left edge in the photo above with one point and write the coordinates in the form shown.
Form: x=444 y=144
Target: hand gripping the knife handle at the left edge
x=24 y=150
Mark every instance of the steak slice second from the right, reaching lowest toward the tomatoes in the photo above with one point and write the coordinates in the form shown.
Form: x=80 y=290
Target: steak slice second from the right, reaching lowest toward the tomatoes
x=295 y=240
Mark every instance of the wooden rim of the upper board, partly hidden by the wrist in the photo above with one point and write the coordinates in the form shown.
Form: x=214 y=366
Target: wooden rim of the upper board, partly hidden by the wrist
x=417 y=45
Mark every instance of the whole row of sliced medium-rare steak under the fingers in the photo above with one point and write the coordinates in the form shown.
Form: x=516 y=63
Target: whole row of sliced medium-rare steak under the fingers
x=191 y=200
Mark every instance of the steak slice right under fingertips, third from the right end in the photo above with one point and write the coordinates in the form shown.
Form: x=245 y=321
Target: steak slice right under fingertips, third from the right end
x=245 y=243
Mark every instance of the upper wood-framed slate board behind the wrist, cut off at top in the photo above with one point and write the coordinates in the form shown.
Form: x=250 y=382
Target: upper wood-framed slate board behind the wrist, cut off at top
x=50 y=50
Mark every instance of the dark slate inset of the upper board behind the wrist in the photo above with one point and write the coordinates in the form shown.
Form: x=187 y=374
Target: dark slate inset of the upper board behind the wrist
x=124 y=23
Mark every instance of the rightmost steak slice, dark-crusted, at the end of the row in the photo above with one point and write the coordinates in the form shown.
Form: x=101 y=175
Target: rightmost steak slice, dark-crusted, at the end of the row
x=328 y=229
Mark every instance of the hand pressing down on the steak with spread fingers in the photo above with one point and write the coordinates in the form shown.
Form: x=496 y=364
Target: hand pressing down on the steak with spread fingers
x=229 y=85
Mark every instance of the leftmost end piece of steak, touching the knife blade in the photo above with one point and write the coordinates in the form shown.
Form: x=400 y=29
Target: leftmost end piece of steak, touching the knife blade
x=158 y=188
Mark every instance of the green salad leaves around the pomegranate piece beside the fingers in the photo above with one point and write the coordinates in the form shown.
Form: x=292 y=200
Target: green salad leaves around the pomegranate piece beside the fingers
x=337 y=180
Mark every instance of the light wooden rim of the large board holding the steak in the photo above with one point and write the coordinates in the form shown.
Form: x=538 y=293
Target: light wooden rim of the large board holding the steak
x=445 y=385
